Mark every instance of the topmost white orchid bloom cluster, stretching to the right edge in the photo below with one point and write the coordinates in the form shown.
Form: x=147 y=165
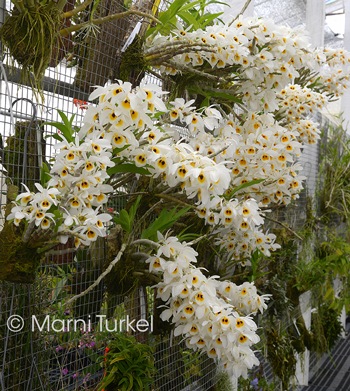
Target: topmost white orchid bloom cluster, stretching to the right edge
x=268 y=57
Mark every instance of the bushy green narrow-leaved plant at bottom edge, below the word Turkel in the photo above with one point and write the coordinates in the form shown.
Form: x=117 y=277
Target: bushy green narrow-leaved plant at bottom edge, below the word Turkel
x=129 y=365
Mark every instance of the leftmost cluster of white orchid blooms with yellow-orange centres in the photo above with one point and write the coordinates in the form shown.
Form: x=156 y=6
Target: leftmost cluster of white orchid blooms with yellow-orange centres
x=74 y=194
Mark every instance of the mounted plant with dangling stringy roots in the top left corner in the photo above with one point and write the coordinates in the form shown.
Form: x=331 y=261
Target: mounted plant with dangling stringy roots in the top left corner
x=39 y=28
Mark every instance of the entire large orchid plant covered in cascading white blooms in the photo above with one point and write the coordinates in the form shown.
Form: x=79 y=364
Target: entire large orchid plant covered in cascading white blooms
x=231 y=161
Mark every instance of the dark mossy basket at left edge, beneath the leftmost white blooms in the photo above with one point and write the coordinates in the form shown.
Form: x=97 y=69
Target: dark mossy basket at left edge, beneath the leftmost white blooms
x=18 y=260
